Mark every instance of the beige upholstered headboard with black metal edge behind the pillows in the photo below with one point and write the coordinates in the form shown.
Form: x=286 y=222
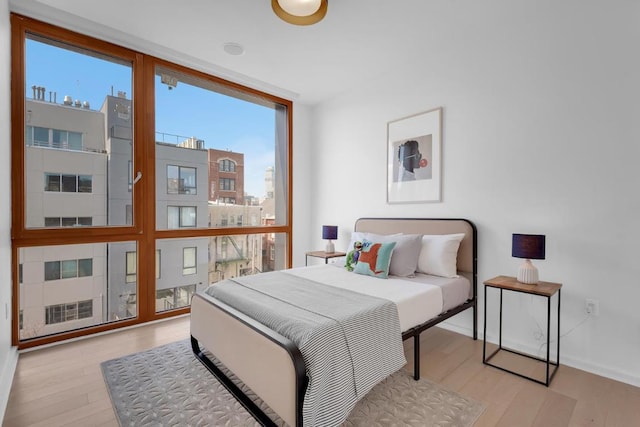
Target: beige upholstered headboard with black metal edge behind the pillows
x=467 y=253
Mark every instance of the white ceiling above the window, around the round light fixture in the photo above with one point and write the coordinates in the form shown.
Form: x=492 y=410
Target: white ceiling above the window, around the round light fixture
x=357 y=40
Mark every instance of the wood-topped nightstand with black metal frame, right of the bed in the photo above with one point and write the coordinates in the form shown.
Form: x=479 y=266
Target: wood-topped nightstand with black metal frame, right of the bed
x=543 y=289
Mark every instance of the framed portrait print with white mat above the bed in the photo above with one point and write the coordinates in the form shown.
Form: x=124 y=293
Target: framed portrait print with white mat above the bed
x=414 y=160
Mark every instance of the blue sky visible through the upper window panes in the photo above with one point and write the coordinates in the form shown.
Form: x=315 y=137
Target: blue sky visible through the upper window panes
x=223 y=122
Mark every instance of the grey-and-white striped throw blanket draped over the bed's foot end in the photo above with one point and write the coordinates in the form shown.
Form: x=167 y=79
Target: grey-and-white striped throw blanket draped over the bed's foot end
x=349 y=341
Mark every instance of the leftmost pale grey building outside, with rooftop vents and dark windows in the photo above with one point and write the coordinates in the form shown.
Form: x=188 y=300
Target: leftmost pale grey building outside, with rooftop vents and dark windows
x=63 y=286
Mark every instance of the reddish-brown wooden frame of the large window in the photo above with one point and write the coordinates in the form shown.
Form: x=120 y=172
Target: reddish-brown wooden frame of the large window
x=143 y=231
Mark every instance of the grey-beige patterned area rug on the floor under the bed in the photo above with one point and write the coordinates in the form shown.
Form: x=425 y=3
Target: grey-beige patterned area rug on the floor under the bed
x=168 y=386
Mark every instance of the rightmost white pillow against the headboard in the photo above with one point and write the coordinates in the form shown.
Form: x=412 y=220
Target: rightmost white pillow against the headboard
x=439 y=253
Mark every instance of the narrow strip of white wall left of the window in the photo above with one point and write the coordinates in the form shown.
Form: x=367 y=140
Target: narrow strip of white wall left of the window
x=8 y=354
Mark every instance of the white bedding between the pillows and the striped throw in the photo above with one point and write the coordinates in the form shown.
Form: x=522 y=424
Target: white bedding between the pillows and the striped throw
x=418 y=299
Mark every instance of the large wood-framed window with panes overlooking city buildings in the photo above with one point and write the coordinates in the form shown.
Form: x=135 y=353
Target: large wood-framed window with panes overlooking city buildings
x=137 y=182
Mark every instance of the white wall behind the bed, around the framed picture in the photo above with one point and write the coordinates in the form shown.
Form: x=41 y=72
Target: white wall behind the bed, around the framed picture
x=541 y=135
